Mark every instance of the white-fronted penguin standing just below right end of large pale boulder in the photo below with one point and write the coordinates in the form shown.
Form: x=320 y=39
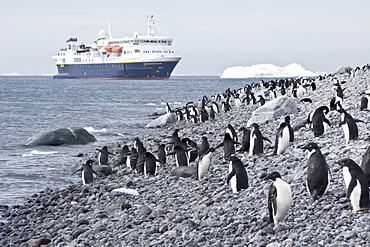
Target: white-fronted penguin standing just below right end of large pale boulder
x=284 y=135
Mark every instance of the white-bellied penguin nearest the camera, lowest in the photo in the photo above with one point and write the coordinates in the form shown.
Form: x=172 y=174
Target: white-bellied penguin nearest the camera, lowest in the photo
x=279 y=198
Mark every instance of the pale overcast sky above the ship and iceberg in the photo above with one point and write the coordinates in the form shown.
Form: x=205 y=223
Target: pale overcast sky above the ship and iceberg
x=209 y=35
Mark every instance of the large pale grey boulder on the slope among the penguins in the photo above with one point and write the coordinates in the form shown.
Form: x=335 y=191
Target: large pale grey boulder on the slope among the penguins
x=274 y=109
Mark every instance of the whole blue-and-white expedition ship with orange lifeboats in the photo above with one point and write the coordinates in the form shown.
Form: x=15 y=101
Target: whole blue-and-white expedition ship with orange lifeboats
x=137 y=57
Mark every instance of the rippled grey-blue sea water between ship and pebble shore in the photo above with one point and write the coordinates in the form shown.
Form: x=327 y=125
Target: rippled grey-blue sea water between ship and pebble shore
x=114 y=111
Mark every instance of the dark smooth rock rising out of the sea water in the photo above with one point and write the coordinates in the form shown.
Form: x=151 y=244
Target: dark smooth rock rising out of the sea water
x=70 y=136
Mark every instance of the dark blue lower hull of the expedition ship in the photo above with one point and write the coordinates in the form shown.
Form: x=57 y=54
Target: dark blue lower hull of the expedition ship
x=160 y=70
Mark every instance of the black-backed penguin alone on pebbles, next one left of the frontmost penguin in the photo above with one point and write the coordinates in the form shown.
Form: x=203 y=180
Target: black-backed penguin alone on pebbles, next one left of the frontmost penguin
x=237 y=177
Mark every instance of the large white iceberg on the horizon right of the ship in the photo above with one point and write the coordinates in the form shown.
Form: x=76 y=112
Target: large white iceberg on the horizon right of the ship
x=266 y=70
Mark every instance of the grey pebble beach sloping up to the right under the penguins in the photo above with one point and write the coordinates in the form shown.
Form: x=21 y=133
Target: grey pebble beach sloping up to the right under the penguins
x=176 y=211
